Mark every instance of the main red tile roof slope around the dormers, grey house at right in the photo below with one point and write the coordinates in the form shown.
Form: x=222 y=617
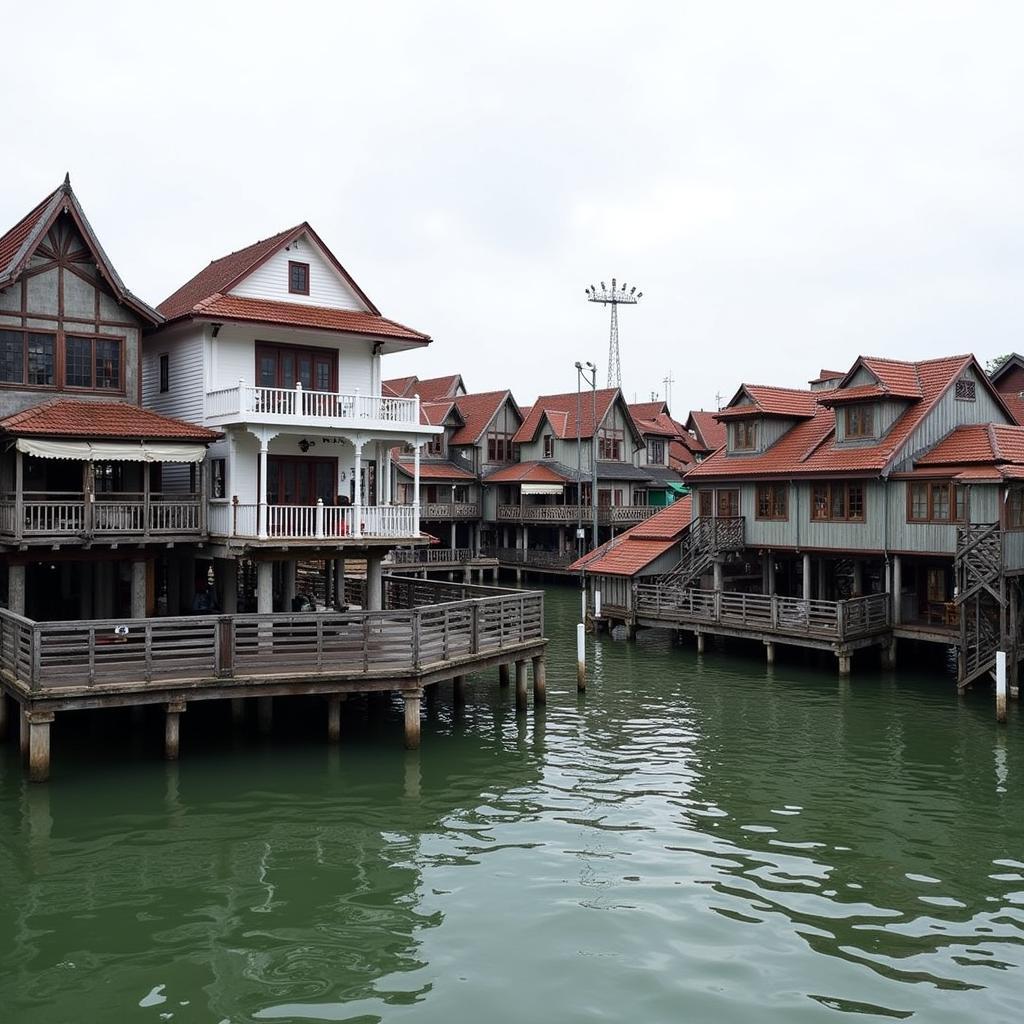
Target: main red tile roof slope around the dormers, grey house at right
x=809 y=447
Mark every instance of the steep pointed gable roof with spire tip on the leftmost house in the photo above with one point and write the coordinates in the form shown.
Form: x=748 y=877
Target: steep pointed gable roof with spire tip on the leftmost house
x=18 y=245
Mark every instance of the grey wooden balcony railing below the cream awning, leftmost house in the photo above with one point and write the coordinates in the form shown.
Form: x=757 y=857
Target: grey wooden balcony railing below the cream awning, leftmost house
x=41 y=516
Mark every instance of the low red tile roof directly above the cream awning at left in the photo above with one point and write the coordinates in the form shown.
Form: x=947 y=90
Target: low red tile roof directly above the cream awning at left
x=108 y=420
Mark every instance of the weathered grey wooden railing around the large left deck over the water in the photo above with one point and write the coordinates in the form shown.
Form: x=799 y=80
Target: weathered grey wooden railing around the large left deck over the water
x=421 y=635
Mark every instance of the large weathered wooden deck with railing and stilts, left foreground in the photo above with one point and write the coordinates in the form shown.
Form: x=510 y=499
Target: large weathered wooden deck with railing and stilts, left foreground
x=429 y=633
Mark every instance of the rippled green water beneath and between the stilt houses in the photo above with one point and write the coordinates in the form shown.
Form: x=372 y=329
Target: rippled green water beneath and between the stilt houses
x=696 y=841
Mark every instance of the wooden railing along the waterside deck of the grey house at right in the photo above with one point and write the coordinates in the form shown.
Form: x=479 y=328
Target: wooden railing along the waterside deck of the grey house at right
x=767 y=614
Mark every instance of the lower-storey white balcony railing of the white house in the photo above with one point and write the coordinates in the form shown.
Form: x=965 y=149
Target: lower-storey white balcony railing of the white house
x=327 y=524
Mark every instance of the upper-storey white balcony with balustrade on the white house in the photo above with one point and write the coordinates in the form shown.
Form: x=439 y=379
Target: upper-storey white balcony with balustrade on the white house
x=301 y=408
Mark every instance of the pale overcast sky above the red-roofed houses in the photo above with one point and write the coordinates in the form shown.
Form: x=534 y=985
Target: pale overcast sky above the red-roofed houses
x=790 y=185
